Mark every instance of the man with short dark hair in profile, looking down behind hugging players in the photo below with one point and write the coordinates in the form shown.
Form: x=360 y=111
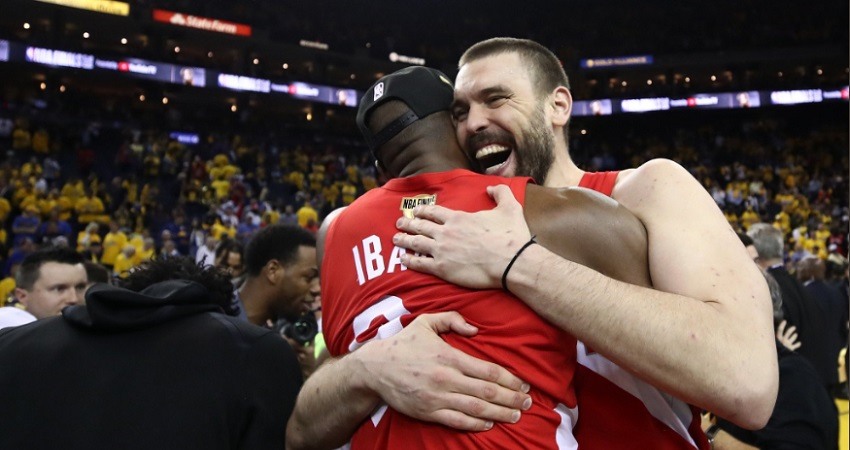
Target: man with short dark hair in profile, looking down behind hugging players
x=280 y=267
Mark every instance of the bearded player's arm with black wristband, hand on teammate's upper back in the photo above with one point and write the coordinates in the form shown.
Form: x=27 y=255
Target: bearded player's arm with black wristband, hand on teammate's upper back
x=705 y=335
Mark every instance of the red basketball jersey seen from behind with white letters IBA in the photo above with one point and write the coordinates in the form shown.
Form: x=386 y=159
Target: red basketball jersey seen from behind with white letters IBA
x=368 y=294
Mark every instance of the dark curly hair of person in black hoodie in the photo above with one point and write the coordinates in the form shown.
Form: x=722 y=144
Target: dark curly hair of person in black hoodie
x=165 y=268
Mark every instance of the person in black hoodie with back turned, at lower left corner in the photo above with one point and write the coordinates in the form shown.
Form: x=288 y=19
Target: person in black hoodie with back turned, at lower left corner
x=157 y=363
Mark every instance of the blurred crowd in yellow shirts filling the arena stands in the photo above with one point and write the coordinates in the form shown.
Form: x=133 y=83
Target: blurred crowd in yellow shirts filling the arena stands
x=125 y=194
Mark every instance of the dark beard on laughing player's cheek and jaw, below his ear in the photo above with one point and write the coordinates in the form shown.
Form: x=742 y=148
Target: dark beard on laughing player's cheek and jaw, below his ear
x=537 y=154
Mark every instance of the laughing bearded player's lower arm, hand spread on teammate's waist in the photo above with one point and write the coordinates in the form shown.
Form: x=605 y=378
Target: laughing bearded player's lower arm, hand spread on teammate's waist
x=415 y=372
